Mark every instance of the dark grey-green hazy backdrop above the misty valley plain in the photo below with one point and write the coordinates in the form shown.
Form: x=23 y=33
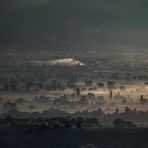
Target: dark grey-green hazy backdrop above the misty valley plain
x=73 y=24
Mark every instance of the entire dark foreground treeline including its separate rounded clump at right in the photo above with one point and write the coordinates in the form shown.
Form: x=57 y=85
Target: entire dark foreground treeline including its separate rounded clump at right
x=61 y=123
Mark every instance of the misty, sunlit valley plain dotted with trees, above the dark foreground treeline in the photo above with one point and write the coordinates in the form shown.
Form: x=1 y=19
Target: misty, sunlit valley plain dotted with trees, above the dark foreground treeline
x=66 y=87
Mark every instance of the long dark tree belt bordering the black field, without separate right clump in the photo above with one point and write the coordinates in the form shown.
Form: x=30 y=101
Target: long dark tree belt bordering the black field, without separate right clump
x=52 y=123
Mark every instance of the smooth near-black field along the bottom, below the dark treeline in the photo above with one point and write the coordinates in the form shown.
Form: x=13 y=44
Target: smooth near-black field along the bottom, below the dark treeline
x=74 y=138
